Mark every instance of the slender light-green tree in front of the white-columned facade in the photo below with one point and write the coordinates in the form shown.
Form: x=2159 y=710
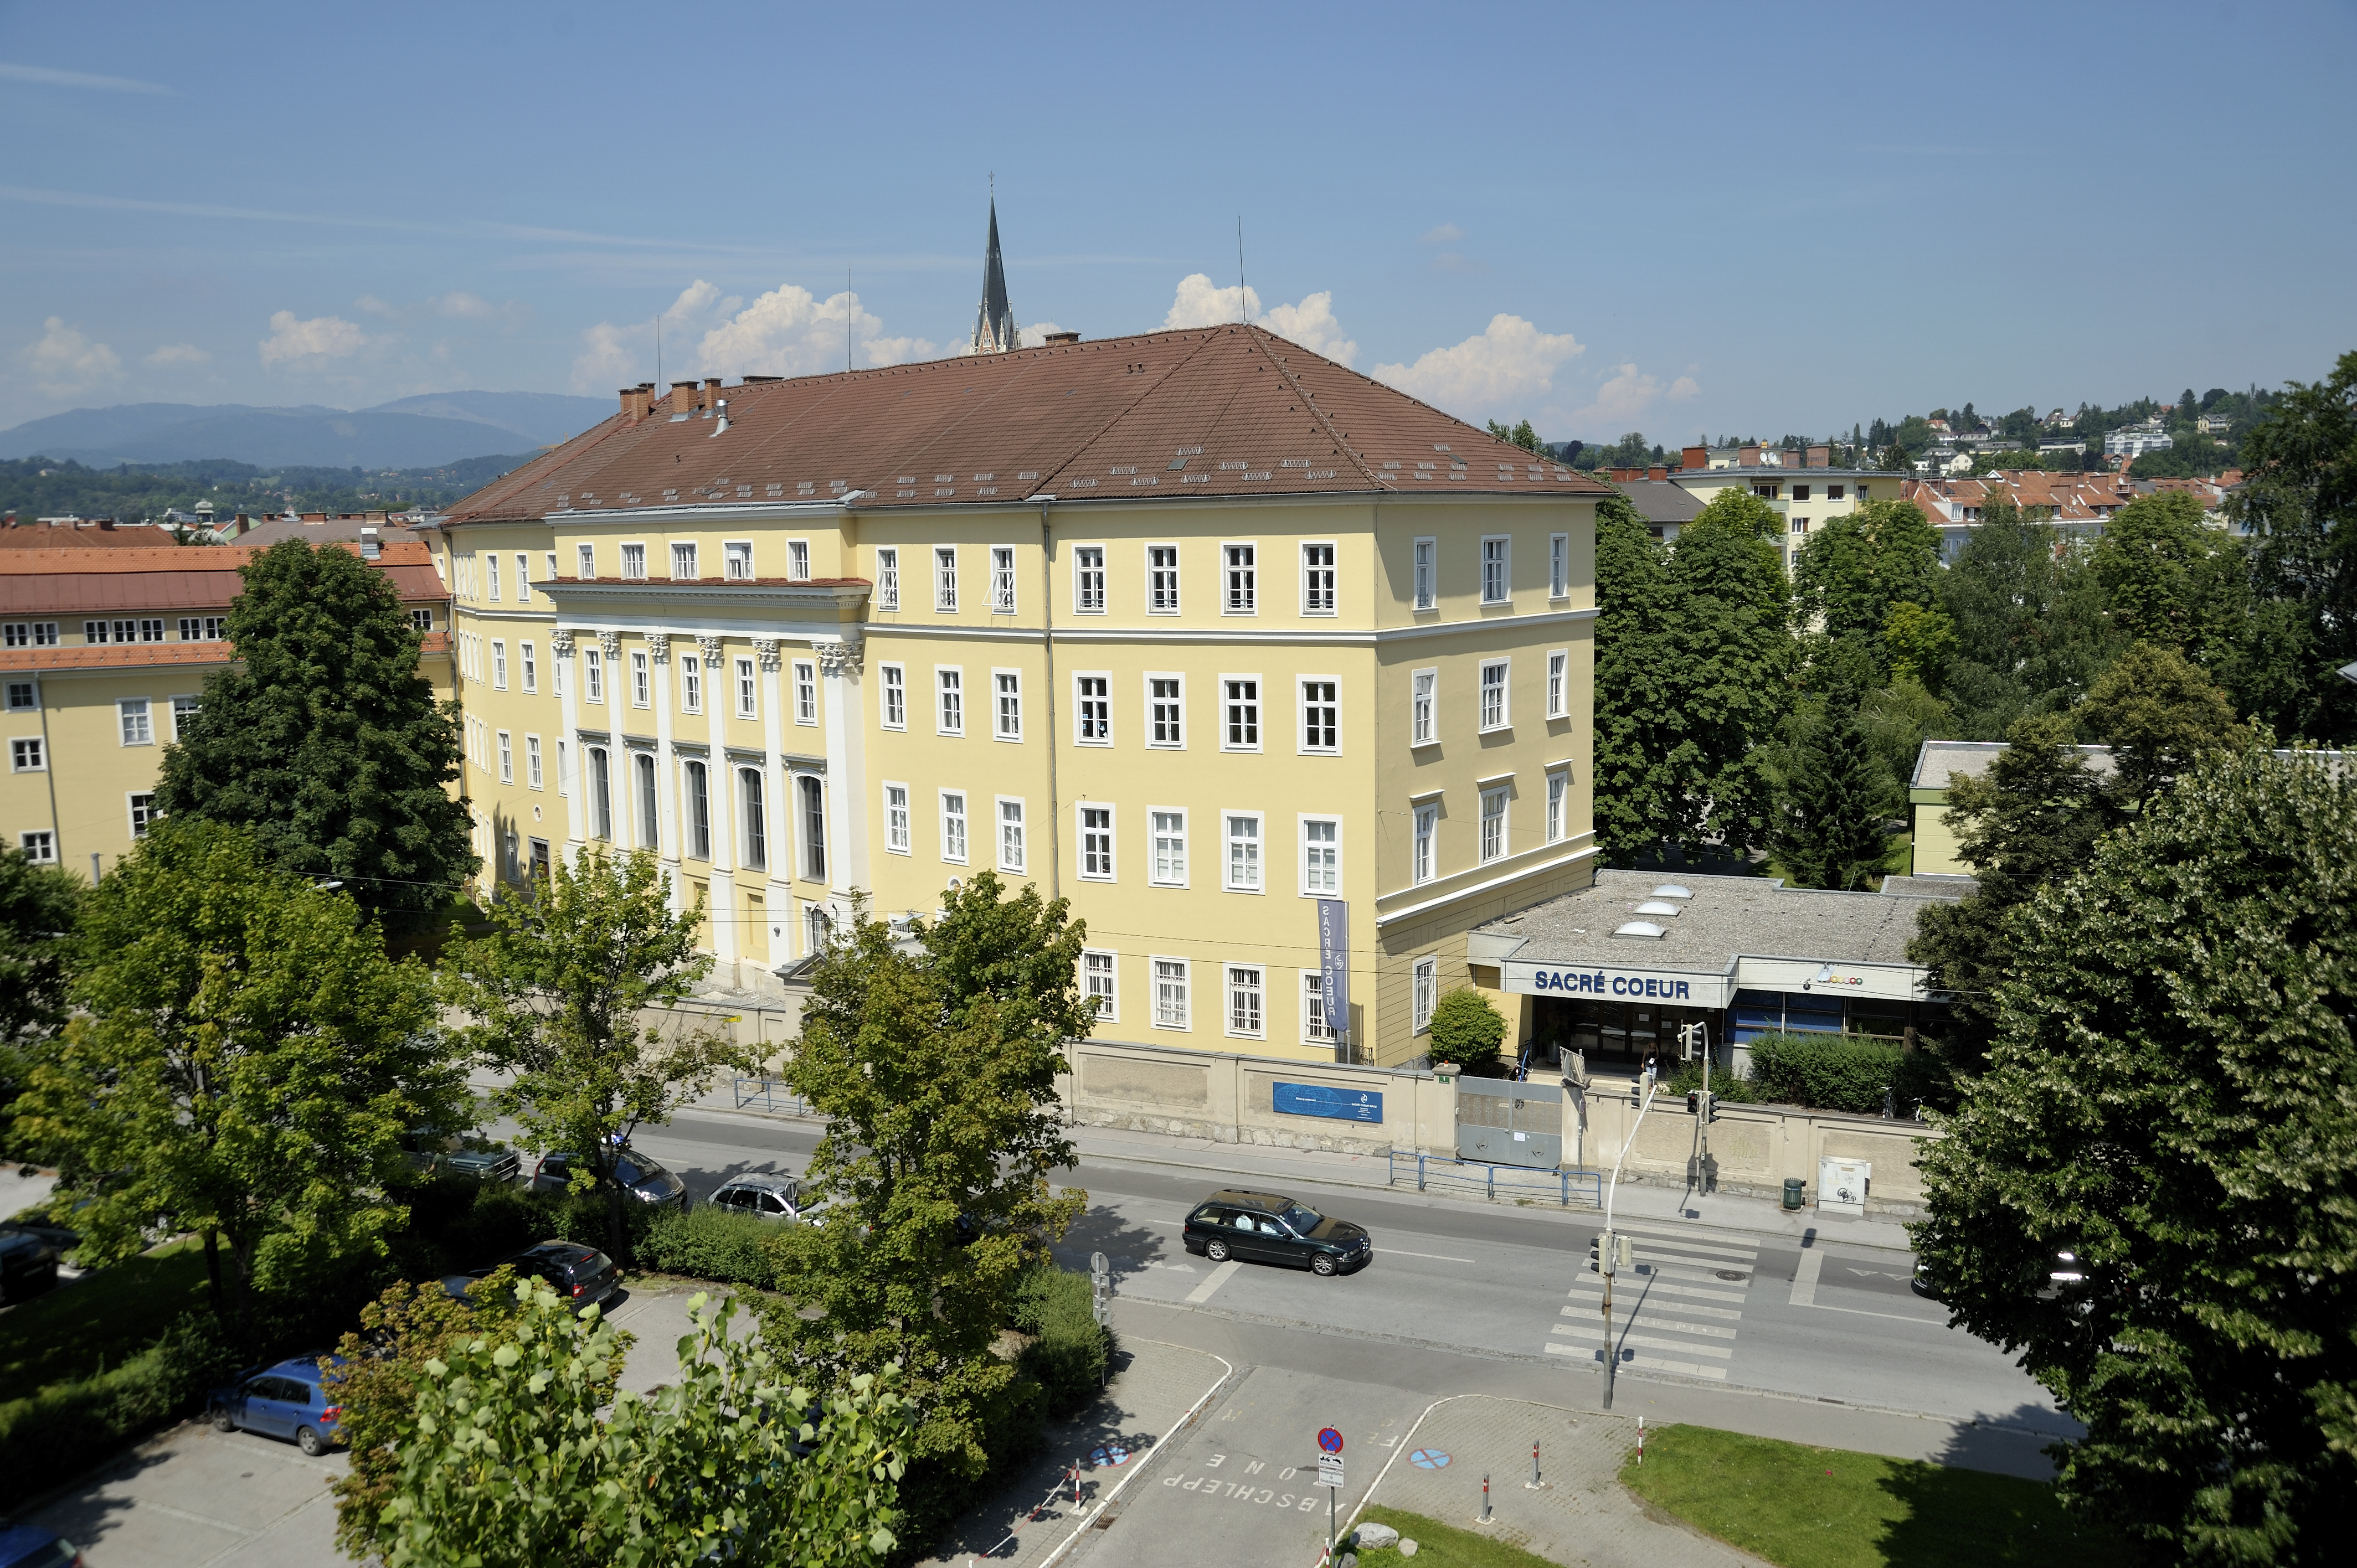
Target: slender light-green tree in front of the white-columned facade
x=555 y=996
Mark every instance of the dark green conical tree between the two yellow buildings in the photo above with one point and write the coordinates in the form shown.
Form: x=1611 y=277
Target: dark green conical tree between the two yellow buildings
x=326 y=737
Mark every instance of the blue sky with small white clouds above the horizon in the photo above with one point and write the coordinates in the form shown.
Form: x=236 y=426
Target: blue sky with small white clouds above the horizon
x=1729 y=220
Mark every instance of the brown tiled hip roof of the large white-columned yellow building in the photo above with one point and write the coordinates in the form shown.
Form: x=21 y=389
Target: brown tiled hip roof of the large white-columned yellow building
x=1217 y=411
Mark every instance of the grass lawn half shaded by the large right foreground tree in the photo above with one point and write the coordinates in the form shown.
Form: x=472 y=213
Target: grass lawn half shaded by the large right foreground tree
x=1825 y=1508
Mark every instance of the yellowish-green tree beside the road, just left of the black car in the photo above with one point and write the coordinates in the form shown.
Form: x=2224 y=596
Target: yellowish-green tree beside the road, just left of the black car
x=937 y=1074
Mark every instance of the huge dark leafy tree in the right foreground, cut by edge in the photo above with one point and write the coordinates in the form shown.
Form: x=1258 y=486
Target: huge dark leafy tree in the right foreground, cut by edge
x=2172 y=1102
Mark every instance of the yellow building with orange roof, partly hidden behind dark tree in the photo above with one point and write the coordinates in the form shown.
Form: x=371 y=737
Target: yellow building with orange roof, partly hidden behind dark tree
x=105 y=654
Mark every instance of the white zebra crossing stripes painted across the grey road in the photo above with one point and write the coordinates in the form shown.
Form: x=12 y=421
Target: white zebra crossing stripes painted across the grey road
x=1677 y=1310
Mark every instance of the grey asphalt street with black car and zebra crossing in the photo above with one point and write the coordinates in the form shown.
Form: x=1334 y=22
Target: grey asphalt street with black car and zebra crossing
x=1705 y=1305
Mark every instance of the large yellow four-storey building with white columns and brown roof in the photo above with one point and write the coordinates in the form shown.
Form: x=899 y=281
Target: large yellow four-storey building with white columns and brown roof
x=1199 y=631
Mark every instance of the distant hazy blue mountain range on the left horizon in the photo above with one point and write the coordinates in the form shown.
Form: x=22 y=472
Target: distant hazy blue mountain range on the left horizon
x=416 y=433
